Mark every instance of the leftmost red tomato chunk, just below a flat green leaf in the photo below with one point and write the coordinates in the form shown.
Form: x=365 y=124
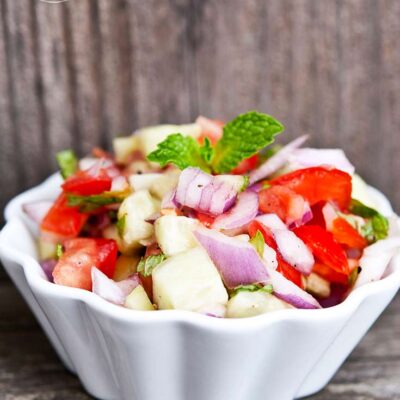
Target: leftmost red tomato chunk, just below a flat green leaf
x=62 y=220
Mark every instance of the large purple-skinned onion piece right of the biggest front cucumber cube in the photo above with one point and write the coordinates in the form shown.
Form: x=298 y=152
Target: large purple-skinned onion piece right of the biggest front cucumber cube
x=237 y=261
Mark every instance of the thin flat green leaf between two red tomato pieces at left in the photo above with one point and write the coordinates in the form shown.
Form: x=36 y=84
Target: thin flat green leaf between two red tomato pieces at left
x=93 y=202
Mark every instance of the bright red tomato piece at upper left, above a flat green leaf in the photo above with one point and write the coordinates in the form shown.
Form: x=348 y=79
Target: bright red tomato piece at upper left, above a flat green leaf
x=84 y=184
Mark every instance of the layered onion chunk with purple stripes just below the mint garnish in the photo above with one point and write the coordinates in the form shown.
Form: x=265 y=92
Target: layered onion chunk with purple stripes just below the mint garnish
x=205 y=193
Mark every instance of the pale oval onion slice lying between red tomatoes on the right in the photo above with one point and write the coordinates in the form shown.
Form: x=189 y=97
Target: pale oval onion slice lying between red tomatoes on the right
x=293 y=250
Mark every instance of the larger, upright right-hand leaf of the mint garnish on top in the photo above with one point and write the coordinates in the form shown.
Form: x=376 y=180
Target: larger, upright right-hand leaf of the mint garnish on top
x=243 y=137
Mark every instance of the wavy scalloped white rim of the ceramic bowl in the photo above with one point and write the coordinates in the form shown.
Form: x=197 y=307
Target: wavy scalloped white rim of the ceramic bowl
x=37 y=282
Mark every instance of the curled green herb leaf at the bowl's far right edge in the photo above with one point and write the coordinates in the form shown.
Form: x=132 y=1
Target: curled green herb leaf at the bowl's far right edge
x=376 y=227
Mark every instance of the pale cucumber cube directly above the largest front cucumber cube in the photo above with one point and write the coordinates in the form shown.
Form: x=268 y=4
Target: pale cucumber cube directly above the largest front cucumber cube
x=174 y=234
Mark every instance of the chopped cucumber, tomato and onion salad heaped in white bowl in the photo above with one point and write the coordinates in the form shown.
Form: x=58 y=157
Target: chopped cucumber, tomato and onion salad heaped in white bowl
x=214 y=218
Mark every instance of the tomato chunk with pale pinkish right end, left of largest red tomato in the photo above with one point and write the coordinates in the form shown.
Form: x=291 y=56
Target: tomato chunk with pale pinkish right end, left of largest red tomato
x=284 y=202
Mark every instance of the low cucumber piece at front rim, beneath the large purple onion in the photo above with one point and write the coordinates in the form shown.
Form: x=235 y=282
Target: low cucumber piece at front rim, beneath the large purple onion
x=250 y=304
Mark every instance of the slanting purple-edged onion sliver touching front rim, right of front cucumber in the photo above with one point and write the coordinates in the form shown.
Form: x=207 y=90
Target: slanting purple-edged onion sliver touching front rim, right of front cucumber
x=291 y=293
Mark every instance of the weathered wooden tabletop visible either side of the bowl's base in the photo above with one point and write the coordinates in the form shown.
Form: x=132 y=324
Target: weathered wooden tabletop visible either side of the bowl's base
x=29 y=368
